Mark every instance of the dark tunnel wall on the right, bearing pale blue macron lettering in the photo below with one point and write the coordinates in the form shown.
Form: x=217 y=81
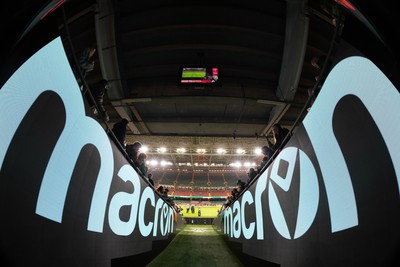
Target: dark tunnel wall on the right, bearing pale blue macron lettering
x=331 y=197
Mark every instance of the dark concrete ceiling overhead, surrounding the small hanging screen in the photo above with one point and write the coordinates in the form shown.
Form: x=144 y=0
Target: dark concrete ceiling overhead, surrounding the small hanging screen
x=262 y=48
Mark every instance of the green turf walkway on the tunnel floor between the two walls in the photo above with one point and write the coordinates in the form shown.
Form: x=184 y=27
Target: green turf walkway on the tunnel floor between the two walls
x=196 y=245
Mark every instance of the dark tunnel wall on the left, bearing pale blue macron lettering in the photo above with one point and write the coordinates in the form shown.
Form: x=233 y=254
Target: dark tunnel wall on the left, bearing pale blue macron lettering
x=68 y=196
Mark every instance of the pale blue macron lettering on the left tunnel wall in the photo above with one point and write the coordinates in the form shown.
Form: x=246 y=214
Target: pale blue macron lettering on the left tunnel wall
x=38 y=75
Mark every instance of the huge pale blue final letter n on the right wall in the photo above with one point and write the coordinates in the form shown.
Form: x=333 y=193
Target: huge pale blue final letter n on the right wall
x=374 y=88
